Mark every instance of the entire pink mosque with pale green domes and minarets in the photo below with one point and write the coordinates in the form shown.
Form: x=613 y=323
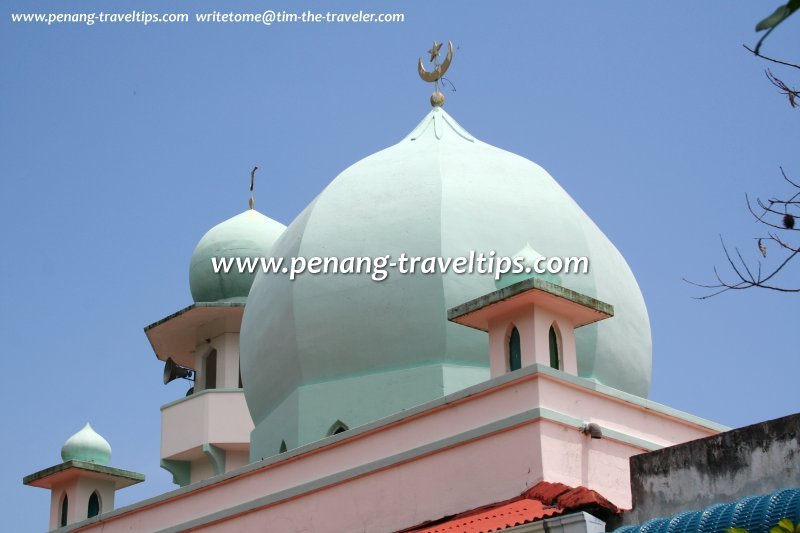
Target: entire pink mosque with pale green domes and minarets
x=445 y=402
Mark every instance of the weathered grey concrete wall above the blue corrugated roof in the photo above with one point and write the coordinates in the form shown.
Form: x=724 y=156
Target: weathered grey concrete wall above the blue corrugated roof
x=752 y=460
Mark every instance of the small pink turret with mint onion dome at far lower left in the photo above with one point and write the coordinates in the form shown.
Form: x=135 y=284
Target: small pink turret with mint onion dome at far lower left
x=83 y=485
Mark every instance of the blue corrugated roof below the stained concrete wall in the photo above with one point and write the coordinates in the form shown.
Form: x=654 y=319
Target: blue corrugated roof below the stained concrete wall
x=756 y=514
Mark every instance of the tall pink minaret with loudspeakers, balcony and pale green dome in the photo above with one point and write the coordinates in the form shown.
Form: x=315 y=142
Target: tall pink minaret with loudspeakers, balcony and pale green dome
x=207 y=432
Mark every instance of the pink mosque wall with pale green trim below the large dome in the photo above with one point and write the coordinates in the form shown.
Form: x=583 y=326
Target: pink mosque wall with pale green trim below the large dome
x=481 y=465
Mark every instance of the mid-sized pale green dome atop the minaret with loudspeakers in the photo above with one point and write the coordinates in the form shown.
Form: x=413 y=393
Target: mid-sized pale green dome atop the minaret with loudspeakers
x=249 y=234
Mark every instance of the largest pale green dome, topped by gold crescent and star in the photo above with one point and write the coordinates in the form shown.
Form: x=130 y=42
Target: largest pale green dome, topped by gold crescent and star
x=437 y=193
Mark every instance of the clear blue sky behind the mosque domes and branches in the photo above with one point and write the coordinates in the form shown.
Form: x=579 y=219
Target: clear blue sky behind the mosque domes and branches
x=121 y=145
